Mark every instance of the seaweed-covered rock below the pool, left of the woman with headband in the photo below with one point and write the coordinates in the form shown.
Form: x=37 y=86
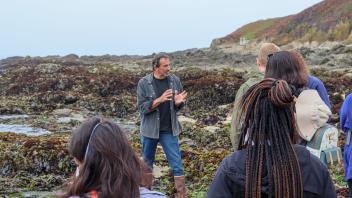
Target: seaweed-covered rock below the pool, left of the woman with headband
x=33 y=163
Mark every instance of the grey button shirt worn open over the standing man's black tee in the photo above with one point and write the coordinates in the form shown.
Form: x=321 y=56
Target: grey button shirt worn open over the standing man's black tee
x=150 y=119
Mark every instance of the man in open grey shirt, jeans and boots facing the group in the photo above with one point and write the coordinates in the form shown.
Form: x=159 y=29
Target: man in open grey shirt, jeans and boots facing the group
x=159 y=96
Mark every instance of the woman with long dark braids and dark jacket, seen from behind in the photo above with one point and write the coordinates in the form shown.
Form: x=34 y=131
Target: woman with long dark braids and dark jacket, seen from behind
x=268 y=162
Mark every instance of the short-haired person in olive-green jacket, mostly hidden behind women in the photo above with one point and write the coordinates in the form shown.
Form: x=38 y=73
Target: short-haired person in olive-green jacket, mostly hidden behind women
x=262 y=58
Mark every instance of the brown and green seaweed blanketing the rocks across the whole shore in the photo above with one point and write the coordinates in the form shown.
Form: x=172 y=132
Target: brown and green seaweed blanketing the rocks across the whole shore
x=42 y=163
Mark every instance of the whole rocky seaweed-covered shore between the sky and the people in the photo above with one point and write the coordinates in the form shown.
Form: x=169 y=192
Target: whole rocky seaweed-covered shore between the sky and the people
x=57 y=93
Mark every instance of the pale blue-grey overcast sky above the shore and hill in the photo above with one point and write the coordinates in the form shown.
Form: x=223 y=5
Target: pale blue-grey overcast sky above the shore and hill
x=98 y=27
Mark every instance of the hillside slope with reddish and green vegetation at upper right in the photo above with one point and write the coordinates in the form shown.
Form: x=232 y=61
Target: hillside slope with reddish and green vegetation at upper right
x=329 y=20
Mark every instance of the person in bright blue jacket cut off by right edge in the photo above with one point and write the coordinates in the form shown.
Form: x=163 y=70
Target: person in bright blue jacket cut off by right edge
x=346 y=126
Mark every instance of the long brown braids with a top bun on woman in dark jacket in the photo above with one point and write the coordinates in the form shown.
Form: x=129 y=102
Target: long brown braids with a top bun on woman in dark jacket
x=268 y=133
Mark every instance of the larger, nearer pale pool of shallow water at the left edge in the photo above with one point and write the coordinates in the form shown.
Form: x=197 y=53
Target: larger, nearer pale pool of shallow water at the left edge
x=23 y=129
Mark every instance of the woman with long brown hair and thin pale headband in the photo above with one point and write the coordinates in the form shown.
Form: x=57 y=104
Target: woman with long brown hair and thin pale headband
x=107 y=166
